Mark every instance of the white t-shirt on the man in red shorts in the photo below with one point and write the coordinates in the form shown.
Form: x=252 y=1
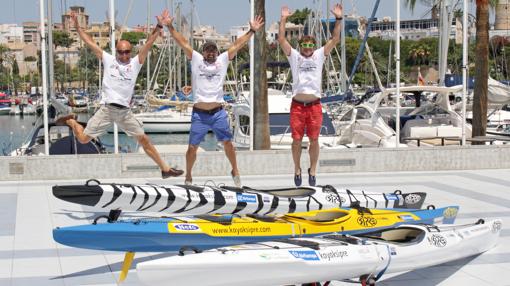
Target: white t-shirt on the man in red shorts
x=307 y=72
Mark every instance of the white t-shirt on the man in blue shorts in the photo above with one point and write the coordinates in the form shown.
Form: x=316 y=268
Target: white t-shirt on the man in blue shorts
x=207 y=79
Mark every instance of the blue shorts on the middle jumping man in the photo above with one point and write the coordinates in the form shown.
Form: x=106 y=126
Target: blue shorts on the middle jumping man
x=202 y=122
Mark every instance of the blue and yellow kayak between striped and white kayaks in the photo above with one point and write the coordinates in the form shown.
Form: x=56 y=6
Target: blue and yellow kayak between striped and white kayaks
x=209 y=231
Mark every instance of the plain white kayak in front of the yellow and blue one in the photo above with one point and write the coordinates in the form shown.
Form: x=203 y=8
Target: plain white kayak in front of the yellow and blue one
x=324 y=258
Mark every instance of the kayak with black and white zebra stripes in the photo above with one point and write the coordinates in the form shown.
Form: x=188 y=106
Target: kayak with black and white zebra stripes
x=197 y=200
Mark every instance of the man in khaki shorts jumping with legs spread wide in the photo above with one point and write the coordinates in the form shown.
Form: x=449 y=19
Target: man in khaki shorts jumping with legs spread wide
x=119 y=81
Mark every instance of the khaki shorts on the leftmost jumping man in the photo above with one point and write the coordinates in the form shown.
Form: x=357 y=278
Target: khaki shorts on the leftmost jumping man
x=107 y=115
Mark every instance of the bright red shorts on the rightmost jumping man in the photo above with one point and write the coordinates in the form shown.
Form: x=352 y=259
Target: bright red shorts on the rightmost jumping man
x=307 y=118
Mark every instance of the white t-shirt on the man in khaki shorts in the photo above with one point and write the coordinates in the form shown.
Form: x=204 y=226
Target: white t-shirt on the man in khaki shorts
x=119 y=79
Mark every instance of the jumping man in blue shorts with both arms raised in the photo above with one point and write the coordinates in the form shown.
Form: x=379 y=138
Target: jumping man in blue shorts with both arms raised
x=208 y=72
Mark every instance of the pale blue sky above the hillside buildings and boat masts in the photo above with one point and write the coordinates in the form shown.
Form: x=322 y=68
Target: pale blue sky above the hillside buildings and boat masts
x=219 y=13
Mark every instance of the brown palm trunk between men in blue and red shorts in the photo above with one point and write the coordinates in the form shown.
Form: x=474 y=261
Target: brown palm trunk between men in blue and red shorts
x=260 y=102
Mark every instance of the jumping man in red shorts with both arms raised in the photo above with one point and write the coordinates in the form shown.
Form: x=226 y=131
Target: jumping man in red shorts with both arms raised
x=306 y=110
